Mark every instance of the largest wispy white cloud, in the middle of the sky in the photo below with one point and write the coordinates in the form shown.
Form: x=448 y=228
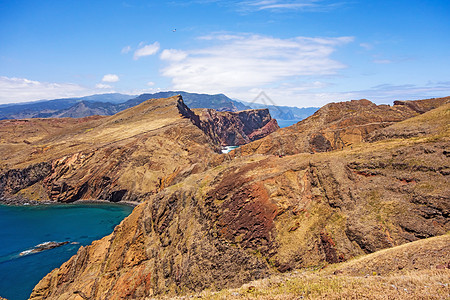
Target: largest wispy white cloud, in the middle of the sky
x=236 y=64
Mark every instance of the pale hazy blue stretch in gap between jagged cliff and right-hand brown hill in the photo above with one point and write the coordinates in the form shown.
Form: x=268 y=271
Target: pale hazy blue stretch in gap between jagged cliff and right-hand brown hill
x=285 y=112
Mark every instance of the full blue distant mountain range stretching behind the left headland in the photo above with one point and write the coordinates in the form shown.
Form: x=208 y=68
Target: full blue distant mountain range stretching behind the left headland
x=110 y=104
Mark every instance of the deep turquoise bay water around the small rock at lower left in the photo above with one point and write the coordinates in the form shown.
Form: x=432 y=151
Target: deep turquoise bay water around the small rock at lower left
x=22 y=228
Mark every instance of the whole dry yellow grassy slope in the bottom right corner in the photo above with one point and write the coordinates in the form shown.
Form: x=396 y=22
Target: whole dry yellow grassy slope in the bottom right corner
x=409 y=271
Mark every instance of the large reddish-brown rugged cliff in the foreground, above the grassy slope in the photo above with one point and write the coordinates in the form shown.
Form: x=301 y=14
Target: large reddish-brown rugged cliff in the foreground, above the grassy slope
x=256 y=215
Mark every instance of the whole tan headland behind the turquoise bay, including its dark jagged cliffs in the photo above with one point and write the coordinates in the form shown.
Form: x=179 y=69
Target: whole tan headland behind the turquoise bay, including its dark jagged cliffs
x=125 y=157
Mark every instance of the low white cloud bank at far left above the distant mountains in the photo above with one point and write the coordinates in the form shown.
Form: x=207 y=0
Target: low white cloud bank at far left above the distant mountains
x=13 y=90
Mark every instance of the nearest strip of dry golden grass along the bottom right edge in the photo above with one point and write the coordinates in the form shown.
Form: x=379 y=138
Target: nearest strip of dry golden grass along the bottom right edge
x=424 y=284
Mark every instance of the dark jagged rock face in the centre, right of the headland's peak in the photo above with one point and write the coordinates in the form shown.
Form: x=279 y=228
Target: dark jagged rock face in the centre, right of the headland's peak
x=236 y=128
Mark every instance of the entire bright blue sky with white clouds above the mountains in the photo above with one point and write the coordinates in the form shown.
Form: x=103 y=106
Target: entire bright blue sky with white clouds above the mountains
x=299 y=52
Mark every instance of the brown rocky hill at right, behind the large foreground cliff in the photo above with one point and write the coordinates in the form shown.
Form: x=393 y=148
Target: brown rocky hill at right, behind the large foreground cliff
x=338 y=126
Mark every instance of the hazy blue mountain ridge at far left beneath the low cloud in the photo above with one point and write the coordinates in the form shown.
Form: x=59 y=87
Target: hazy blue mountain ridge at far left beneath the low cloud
x=56 y=107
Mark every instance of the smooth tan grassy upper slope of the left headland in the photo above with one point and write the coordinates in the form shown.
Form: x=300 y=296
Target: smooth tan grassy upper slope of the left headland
x=25 y=142
